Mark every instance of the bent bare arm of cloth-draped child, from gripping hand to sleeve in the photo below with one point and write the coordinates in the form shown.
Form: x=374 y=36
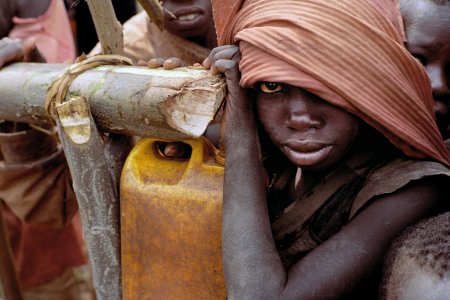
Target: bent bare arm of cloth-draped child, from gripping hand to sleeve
x=253 y=269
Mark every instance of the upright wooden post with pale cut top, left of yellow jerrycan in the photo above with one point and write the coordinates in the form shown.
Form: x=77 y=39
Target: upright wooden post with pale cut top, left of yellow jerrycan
x=97 y=195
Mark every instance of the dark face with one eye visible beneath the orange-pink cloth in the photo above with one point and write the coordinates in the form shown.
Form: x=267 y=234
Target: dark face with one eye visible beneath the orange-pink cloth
x=313 y=134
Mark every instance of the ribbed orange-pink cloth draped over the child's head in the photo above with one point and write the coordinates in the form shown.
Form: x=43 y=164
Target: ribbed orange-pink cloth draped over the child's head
x=349 y=53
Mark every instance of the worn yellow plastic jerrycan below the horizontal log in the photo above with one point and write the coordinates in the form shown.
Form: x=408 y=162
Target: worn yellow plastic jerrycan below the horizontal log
x=171 y=222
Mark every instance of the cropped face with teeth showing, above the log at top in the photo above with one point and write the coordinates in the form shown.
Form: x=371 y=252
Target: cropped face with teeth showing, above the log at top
x=194 y=17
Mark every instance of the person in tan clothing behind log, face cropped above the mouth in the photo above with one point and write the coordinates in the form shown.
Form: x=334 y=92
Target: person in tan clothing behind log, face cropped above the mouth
x=189 y=37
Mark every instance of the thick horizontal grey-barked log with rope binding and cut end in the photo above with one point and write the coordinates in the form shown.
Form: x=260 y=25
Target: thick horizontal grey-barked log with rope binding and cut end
x=171 y=104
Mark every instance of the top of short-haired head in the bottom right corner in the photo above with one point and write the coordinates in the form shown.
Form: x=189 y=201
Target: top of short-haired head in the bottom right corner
x=418 y=264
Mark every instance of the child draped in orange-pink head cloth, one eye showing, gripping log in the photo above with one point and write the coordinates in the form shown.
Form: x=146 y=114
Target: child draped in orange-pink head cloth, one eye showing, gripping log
x=352 y=155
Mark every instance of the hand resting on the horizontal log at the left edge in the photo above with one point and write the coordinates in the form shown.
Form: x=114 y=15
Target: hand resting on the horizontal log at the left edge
x=12 y=50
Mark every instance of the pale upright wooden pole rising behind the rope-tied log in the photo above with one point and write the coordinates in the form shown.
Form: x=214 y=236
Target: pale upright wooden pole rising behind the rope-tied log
x=108 y=28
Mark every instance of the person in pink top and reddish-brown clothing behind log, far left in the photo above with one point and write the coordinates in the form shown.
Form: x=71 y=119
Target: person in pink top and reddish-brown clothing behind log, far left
x=46 y=244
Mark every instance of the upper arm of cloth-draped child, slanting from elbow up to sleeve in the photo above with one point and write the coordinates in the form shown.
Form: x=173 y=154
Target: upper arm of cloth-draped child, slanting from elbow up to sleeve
x=352 y=254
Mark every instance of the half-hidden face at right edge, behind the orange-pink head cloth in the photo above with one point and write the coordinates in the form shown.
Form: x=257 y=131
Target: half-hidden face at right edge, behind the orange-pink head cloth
x=428 y=32
